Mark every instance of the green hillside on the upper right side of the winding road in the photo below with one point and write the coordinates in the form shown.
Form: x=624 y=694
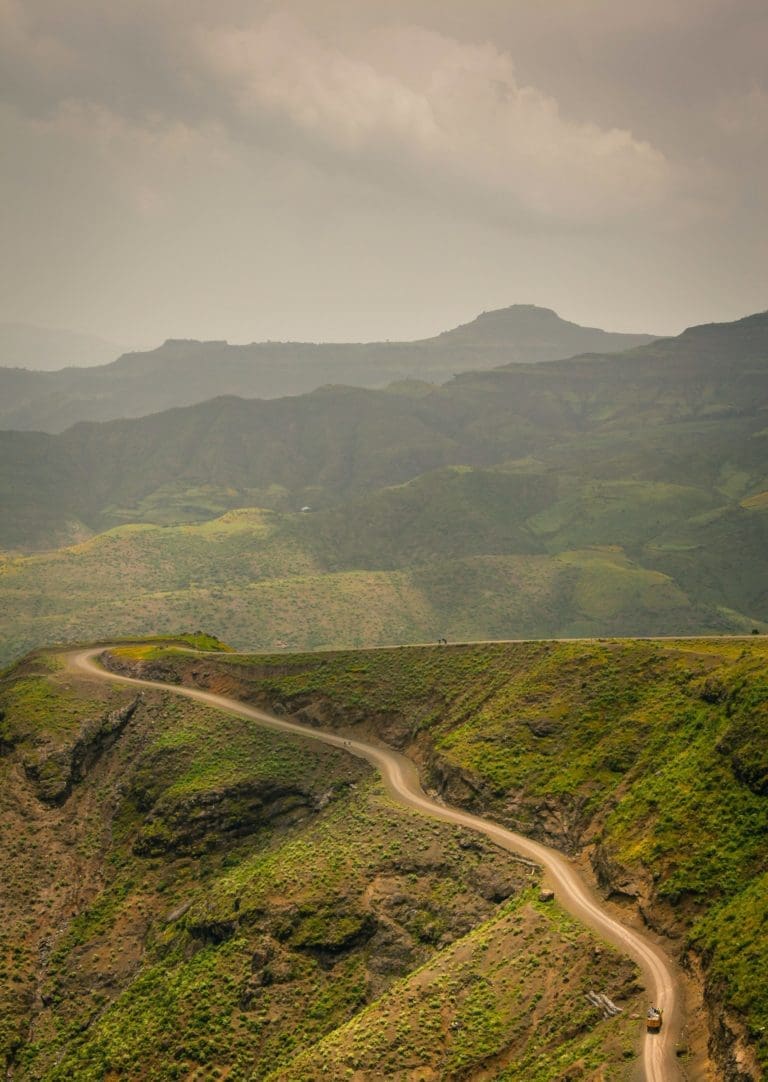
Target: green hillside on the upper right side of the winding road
x=648 y=759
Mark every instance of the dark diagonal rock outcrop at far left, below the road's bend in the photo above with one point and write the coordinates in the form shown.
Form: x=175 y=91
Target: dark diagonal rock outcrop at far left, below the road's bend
x=56 y=770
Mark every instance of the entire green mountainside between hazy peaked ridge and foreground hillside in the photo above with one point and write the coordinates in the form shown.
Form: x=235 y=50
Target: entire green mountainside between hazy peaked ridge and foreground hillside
x=624 y=494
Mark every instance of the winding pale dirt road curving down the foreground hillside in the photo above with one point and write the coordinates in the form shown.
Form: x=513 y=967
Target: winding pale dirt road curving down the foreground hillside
x=402 y=781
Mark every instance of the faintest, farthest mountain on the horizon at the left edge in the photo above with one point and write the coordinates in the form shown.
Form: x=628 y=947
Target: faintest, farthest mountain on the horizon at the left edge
x=46 y=349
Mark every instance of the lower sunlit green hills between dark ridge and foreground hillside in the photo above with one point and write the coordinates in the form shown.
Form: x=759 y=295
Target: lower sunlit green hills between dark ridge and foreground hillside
x=392 y=571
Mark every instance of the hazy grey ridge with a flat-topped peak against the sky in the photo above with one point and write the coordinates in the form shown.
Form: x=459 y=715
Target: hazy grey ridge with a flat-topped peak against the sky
x=182 y=373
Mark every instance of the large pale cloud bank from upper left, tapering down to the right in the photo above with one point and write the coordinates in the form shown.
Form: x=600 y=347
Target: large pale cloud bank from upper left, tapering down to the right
x=404 y=103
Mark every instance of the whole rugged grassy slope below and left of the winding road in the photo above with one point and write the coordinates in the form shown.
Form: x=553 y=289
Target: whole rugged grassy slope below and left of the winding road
x=188 y=896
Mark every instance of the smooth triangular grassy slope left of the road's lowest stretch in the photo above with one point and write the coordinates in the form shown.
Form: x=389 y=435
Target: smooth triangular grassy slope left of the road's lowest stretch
x=485 y=1005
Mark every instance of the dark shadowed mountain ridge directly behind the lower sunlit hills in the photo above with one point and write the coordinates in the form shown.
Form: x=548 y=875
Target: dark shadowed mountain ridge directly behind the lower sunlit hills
x=683 y=411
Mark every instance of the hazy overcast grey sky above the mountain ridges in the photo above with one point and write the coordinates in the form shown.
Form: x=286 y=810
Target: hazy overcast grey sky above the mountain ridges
x=365 y=169
